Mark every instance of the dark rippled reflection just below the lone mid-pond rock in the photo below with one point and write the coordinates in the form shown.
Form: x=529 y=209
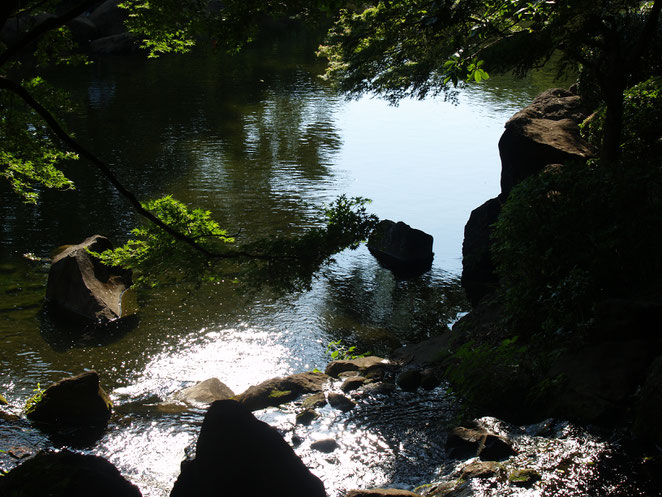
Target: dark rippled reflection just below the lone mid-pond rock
x=368 y=306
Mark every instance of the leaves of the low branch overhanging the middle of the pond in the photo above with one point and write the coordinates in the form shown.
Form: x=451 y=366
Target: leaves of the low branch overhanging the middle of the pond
x=283 y=262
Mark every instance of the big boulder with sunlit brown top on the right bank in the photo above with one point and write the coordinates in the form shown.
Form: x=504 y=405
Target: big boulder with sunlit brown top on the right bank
x=545 y=132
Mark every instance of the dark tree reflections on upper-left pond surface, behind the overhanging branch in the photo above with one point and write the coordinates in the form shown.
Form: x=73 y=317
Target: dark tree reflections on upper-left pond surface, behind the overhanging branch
x=244 y=136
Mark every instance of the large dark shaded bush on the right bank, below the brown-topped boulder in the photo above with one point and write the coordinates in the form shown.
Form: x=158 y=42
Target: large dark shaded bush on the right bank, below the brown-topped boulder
x=575 y=235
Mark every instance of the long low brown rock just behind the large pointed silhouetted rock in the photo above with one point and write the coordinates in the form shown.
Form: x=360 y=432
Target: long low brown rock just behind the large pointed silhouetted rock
x=278 y=391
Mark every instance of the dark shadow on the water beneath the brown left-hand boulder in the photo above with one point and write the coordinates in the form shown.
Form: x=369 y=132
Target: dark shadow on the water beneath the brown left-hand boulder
x=64 y=331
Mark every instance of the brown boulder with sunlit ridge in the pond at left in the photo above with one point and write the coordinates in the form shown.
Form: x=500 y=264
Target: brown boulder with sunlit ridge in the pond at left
x=81 y=284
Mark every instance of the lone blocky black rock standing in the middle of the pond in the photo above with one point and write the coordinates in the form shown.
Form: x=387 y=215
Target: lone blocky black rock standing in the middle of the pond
x=401 y=248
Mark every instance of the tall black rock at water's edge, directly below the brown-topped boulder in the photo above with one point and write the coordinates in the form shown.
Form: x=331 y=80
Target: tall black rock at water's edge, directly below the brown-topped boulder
x=478 y=271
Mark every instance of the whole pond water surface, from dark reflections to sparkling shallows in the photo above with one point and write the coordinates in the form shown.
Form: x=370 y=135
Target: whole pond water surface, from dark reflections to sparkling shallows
x=261 y=142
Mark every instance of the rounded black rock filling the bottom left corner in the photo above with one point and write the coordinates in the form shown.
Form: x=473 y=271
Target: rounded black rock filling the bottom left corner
x=66 y=474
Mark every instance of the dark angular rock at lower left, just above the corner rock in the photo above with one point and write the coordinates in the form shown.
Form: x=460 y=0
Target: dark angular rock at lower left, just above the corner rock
x=75 y=401
